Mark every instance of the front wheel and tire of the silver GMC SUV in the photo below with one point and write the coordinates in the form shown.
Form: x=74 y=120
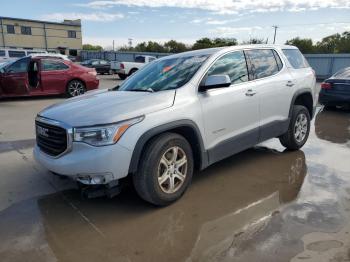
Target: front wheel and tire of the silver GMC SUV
x=157 y=159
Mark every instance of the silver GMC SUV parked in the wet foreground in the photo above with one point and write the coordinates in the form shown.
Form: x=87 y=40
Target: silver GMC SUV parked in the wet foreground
x=181 y=113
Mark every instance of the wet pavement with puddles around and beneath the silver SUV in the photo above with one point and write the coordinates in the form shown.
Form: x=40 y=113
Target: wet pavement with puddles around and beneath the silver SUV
x=264 y=204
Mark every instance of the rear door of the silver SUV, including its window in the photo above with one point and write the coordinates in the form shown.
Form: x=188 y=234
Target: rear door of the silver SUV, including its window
x=274 y=84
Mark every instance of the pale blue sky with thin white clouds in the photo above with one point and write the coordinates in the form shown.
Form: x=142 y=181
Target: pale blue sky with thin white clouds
x=188 y=20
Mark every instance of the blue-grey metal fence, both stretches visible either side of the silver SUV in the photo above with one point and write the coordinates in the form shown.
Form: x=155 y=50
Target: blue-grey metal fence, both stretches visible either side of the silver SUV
x=325 y=65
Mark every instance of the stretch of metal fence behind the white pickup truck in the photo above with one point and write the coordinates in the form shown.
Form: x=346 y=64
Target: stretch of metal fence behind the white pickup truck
x=117 y=56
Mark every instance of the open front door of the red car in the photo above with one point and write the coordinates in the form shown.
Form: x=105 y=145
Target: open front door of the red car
x=15 y=78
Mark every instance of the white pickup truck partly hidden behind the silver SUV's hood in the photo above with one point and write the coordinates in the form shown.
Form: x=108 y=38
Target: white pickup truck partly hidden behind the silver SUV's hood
x=125 y=69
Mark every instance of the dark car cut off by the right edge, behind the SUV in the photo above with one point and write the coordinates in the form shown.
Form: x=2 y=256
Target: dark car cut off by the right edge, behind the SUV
x=335 y=91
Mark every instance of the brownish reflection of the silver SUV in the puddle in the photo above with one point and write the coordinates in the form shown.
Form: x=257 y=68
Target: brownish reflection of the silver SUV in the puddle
x=221 y=202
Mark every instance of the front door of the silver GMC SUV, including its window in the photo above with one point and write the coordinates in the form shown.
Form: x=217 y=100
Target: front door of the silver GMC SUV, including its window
x=231 y=115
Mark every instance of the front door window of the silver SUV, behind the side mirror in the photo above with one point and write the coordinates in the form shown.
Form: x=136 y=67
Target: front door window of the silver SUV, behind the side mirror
x=233 y=65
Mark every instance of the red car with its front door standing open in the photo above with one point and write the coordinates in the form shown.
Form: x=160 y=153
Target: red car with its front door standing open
x=34 y=76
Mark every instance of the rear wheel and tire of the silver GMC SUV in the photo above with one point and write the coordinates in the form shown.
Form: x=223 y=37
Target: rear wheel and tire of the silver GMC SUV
x=298 y=130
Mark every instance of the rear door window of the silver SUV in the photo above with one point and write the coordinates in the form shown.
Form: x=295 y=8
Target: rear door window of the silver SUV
x=263 y=63
